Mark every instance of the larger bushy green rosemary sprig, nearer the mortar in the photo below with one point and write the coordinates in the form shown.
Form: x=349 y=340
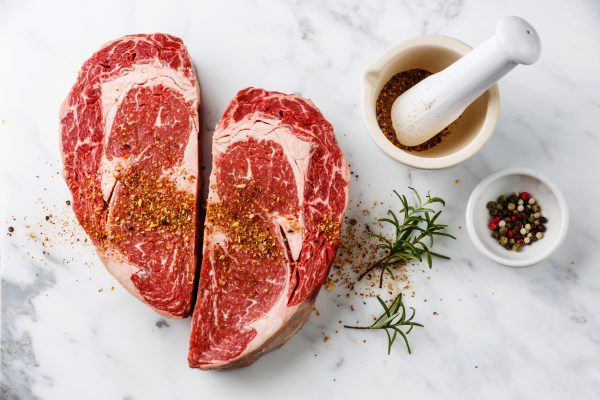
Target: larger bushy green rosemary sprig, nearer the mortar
x=409 y=243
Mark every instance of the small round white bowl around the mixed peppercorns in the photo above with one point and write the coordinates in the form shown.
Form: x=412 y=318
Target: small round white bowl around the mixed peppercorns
x=552 y=202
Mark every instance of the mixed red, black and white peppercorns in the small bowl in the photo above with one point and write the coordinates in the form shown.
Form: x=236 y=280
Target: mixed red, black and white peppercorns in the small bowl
x=516 y=220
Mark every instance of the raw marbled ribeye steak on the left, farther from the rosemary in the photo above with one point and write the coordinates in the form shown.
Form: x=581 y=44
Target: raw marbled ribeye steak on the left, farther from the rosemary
x=129 y=137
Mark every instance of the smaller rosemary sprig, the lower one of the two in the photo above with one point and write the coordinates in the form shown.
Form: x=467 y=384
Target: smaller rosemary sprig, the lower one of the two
x=393 y=321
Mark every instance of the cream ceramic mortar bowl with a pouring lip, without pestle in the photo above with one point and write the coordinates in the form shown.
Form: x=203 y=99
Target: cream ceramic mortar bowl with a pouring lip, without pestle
x=433 y=53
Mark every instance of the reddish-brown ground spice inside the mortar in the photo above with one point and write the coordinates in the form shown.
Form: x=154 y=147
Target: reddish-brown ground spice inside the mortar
x=397 y=85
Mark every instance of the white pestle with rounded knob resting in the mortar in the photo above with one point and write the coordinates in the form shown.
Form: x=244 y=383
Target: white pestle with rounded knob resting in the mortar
x=434 y=103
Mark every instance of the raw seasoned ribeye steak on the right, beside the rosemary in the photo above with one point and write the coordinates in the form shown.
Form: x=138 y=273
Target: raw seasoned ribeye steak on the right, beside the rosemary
x=278 y=192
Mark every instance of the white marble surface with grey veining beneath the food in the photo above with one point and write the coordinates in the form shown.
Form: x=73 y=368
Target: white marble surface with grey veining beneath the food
x=500 y=333
